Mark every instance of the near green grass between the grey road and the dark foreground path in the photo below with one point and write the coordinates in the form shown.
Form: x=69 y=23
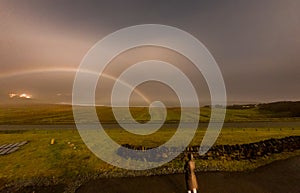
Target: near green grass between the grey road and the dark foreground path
x=69 y=158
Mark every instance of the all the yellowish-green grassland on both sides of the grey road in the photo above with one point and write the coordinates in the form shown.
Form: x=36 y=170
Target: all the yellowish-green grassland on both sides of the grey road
x=69 y=160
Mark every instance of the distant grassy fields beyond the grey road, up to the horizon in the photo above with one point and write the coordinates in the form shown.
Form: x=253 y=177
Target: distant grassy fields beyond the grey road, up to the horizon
x=62 y=114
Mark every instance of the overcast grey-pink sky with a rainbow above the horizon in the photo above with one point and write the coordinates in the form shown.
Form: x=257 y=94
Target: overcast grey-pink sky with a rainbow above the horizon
x=255 y=43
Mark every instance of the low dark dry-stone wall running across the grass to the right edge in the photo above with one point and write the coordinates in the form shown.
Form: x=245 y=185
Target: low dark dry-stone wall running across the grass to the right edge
x=249 y=151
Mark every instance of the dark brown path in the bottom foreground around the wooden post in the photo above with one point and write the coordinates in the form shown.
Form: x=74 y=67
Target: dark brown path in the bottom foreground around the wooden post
x=279 y=177
